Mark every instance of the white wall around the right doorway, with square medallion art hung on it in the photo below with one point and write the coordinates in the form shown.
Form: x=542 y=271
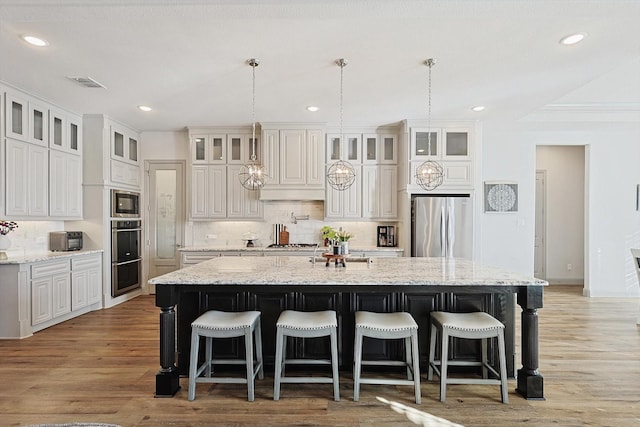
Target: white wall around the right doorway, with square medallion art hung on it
x=612 y=172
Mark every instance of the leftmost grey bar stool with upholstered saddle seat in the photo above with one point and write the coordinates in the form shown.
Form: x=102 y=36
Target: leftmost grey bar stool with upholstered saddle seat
x=220 y=324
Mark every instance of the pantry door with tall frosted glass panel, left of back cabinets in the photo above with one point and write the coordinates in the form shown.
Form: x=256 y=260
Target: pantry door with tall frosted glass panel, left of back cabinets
x=166 y=206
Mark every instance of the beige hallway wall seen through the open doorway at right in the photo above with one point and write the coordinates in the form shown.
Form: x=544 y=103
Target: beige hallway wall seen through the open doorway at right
x=564 y=237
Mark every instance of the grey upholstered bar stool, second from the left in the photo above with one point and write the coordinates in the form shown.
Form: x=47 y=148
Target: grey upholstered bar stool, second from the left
x=306 y=325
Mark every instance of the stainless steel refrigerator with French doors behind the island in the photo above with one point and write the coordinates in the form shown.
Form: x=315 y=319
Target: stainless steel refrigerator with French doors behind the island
x=442 y=226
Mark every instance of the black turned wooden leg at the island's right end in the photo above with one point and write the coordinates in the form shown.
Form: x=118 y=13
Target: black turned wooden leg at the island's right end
x=530 y=382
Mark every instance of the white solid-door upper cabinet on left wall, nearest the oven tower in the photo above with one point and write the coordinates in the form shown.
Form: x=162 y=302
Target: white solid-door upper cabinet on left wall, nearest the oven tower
x=65 y=185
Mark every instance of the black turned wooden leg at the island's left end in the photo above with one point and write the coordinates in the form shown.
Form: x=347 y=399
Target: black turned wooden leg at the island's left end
x=167 y=378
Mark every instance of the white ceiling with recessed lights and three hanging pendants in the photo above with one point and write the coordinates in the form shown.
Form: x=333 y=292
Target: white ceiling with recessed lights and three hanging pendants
x=187 y=59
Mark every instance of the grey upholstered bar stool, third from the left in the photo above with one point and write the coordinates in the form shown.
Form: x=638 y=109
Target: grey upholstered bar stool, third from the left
x=387 y=326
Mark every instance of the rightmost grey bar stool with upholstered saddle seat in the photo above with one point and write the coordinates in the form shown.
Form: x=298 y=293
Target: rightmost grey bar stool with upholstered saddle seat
x=477 y=325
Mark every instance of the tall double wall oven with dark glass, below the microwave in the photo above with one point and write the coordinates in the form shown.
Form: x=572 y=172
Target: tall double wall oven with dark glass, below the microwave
x=126 y=259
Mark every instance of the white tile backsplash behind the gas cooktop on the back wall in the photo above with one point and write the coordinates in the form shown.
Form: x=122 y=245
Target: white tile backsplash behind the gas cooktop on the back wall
x=229 y=233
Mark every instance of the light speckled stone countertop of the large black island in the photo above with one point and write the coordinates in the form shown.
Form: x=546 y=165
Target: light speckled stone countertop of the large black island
x=296 y=270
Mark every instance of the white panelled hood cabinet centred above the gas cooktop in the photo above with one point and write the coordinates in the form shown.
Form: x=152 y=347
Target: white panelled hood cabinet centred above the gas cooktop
x=294 y=160
